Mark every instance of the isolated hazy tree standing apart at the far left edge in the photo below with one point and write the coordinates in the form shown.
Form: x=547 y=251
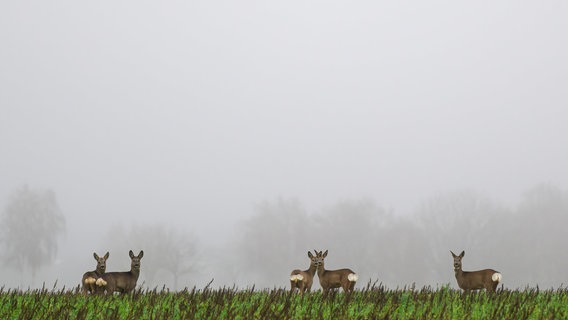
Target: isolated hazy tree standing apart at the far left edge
x=30 y=224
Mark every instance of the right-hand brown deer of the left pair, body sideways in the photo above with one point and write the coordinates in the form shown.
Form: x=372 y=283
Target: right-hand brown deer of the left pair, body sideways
x=123 y=282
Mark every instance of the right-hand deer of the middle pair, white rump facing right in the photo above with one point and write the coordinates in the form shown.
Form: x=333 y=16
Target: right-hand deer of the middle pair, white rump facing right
x=332 y=279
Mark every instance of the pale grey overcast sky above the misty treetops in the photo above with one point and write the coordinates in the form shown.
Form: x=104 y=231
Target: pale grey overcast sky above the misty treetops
x=193 y=111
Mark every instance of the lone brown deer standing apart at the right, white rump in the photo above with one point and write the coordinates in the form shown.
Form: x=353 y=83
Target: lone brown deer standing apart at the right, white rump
x=474 y=280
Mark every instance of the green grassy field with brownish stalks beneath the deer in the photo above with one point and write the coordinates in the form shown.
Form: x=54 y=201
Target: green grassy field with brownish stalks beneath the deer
x=231 y=303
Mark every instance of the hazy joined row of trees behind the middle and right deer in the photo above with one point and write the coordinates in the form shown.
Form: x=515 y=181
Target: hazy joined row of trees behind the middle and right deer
x=526 y=243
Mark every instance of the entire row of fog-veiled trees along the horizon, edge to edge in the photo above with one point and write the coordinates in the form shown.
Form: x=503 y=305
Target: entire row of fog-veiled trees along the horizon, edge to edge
x=525 y=242
